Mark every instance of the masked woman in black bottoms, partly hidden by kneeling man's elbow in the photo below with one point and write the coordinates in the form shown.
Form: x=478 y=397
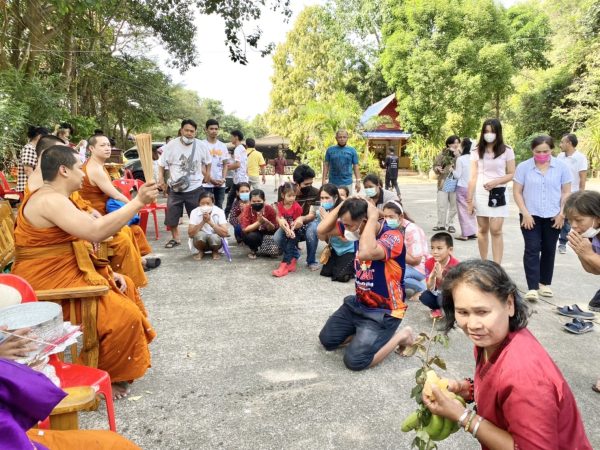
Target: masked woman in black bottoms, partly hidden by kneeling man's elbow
x=340 y=260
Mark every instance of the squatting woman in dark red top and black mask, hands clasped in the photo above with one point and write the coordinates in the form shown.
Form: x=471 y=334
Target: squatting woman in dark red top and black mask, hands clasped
x=257 y=221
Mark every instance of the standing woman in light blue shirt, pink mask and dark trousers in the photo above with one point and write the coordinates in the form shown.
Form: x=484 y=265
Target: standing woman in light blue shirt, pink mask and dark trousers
x=541 y=186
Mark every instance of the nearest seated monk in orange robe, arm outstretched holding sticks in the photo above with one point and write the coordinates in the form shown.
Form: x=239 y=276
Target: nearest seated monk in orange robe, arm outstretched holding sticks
x=52 y=251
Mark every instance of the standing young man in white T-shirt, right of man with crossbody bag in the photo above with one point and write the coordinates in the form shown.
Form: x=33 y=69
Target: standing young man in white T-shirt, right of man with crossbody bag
x=215 y=182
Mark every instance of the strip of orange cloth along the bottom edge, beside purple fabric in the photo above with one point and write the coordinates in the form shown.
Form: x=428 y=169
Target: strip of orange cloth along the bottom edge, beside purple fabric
x=79 y=439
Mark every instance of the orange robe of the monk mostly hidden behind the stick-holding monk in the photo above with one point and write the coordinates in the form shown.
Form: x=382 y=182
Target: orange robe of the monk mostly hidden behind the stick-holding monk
x=126 y=258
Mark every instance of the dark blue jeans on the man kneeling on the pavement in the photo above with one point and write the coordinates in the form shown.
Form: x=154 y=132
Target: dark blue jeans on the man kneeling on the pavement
x=371 y=330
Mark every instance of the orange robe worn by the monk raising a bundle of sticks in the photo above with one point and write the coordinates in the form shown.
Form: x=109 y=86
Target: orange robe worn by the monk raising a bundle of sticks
x=123 y=328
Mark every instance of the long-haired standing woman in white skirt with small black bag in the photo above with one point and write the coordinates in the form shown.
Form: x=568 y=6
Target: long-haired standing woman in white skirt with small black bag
x=492 y=167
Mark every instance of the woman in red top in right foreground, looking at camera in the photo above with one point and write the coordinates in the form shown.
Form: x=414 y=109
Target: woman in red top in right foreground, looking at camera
x=523 y=400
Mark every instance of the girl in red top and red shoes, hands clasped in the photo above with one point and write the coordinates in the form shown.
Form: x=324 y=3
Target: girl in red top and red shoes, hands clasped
x=288 y=211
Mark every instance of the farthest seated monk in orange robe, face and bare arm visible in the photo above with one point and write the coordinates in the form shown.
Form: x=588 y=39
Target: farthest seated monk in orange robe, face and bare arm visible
x=97 y=186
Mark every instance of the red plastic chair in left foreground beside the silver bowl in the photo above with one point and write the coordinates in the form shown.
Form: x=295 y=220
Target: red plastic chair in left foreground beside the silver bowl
x=70 y=375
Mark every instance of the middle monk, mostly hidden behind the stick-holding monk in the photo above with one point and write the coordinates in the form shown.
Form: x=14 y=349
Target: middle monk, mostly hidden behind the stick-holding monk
x=126 y=257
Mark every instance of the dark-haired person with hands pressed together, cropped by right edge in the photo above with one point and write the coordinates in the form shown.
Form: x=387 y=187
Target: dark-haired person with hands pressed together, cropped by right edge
x=583 y=212
